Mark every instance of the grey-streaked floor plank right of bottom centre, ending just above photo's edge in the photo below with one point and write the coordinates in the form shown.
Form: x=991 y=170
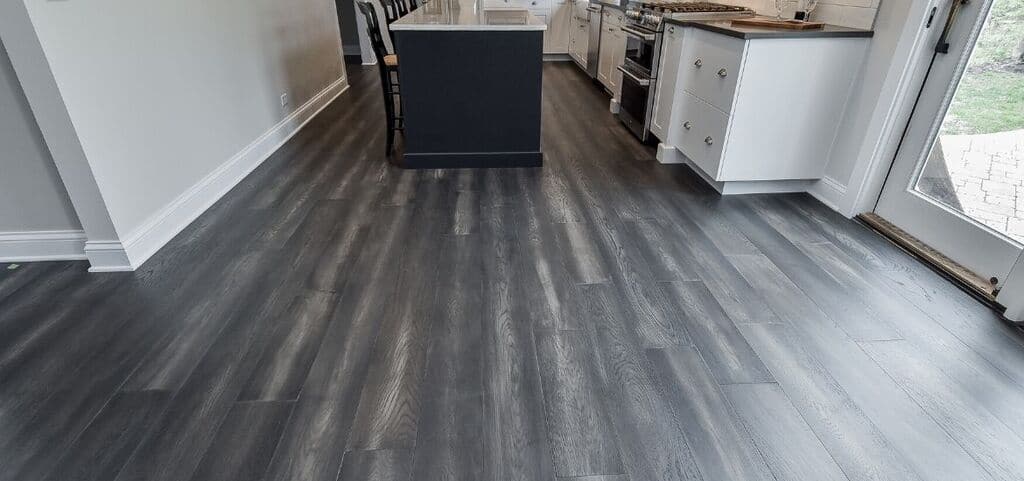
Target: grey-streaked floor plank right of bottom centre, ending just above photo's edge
x=581 y=433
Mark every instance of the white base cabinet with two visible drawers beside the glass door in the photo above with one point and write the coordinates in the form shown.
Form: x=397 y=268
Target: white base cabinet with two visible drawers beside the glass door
x=754 y=115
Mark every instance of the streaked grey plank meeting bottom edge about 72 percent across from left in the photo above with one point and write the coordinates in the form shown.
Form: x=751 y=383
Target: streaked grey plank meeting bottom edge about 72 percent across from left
x=721 y=448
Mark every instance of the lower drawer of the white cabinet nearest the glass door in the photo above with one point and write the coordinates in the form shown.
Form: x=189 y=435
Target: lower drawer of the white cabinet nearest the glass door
x=702 y=134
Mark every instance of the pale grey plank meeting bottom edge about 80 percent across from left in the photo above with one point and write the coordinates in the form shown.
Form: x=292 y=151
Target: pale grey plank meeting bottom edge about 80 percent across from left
x=787 y=443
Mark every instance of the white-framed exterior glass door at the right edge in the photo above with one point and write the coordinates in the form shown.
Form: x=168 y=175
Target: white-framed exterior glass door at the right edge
x=958 y=182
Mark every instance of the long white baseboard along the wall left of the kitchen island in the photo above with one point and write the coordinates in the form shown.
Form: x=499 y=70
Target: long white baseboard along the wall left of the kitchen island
x=160 y=229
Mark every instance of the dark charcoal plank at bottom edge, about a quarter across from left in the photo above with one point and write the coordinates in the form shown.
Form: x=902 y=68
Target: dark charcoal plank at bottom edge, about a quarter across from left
x=245 y=443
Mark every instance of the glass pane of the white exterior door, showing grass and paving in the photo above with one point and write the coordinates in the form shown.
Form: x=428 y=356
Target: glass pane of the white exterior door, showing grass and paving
x=977 y=165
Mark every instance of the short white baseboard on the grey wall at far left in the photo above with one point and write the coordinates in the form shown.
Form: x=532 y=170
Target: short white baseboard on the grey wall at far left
x=42 y=246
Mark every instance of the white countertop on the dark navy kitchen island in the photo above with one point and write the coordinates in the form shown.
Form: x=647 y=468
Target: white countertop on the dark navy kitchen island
x=449 y=16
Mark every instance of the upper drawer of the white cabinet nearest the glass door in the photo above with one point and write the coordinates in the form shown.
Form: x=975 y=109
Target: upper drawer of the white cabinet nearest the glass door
x=711 y=67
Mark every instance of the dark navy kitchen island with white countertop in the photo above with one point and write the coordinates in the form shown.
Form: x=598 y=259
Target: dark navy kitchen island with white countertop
x=471 y=82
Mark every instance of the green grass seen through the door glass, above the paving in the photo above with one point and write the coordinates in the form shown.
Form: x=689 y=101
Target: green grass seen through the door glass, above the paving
x=992 y=96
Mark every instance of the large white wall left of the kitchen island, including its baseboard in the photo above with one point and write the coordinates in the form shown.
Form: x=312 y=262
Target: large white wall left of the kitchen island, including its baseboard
x=175 y=102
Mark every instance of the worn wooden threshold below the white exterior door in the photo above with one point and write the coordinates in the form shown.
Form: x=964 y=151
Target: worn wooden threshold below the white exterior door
x=966 y=279
